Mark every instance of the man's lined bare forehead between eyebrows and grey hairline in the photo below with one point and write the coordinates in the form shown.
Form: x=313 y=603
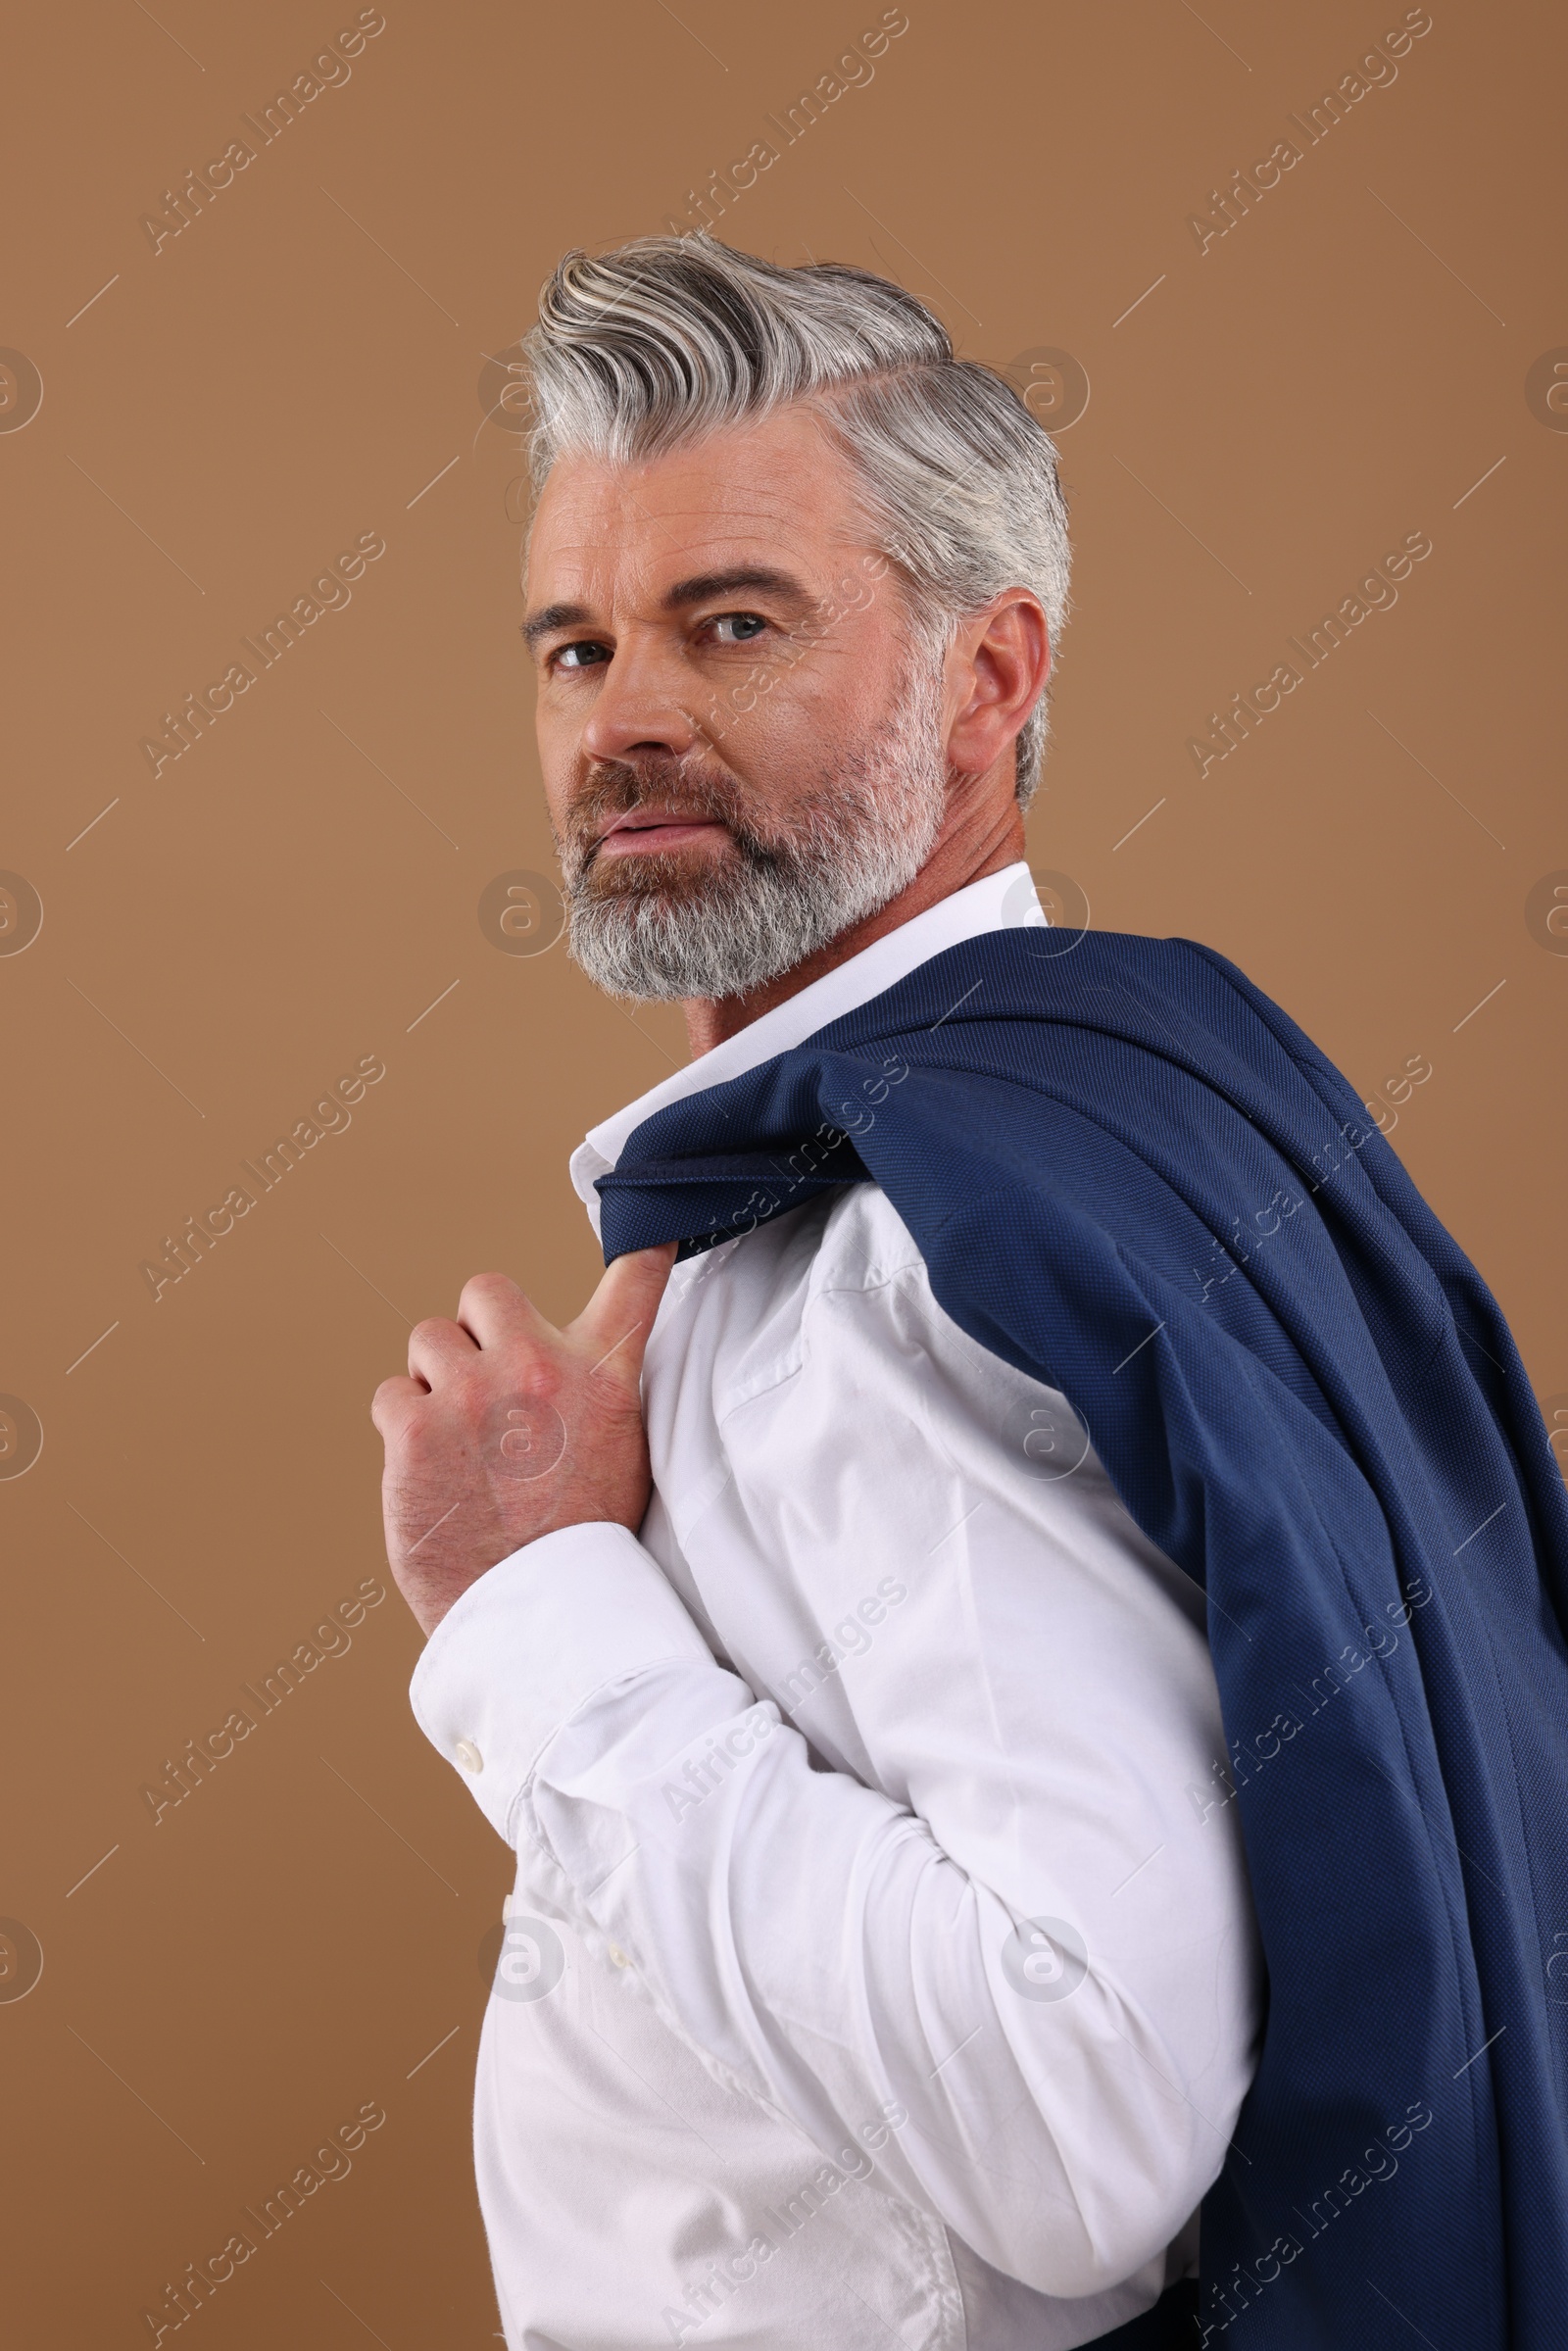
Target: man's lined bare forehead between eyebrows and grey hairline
x=775 y=493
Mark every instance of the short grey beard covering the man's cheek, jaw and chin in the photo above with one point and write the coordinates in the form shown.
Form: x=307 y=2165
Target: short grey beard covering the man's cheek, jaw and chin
x=852 y=845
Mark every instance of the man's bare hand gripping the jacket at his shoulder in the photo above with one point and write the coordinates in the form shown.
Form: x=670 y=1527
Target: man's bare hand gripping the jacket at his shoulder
x=509 y=1428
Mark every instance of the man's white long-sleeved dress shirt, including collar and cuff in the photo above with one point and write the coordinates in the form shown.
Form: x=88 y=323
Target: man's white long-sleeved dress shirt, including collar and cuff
x=878 y=1955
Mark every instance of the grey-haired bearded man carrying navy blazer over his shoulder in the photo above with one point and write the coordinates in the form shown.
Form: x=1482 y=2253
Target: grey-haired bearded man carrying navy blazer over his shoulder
x=1078 y=1536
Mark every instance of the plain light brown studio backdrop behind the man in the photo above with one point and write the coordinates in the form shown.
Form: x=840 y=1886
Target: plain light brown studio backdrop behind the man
x=295 y=370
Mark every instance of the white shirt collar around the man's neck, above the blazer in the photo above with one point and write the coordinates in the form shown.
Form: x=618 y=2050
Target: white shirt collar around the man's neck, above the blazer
x=996 y=904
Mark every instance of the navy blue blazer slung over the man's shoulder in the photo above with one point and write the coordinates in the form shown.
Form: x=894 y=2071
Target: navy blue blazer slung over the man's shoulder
x=1137 y=1179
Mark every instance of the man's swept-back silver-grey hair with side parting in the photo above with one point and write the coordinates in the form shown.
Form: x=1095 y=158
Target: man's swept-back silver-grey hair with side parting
x=669 y=340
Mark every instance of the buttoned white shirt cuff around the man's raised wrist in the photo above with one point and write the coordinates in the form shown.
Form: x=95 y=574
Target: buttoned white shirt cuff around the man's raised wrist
x=530 y=1642
